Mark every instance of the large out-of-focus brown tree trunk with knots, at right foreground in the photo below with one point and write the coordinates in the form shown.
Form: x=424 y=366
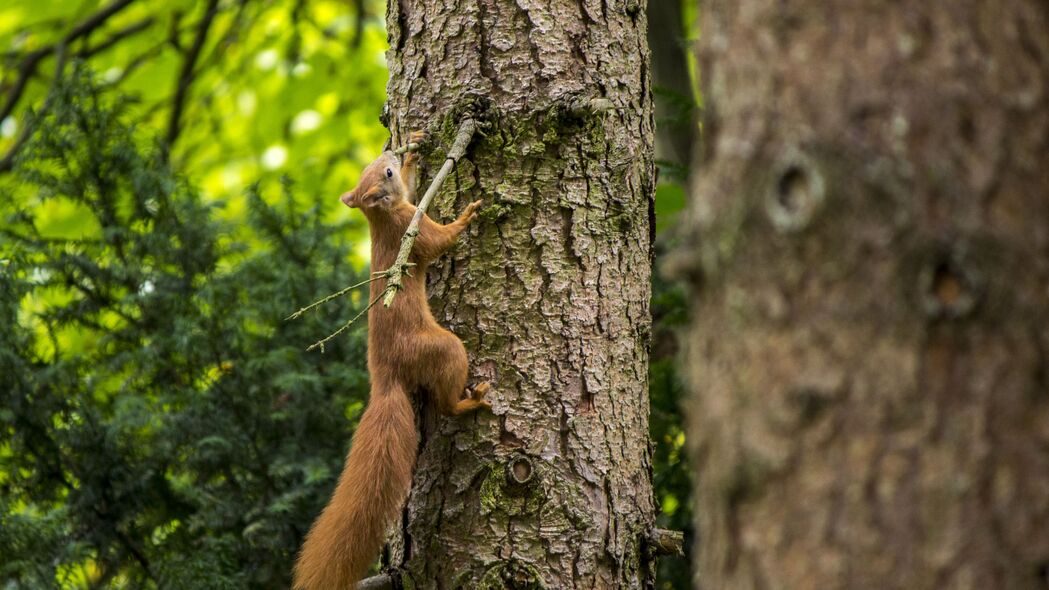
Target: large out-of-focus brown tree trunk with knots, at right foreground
x=870 y=252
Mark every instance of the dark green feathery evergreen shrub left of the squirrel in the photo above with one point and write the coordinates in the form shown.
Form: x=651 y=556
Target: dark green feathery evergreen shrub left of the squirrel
x=162 y=426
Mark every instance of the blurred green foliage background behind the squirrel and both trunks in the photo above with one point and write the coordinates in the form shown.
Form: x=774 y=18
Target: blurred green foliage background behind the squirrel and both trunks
x=168 y=196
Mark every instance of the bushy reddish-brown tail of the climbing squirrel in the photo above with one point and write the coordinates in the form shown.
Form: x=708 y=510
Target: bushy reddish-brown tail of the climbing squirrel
x=375 y=482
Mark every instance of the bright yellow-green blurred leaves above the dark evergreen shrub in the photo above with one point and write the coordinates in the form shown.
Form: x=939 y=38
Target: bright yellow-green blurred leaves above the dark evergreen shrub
x=279 y=88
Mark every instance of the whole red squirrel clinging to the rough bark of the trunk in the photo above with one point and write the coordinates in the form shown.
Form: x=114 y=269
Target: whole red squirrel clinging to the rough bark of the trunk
x=408 y=351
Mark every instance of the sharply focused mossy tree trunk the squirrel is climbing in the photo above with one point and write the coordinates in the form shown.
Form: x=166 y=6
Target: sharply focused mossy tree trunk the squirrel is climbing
x=549 y=290
